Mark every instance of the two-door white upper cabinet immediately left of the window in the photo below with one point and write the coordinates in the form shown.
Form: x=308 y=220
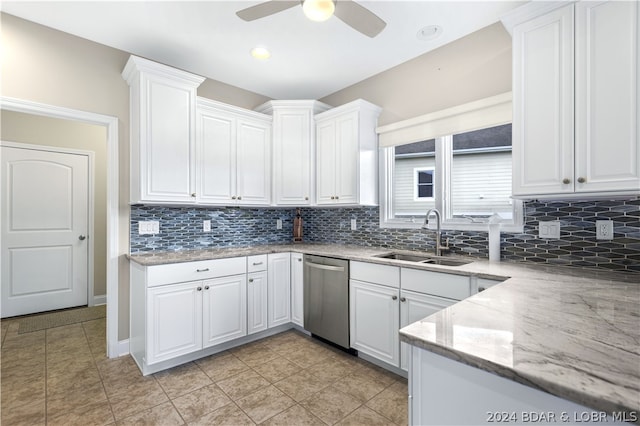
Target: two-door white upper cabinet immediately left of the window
x=346 y=155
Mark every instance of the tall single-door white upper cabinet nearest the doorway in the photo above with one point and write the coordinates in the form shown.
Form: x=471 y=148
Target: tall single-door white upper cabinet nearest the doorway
x=162 y=138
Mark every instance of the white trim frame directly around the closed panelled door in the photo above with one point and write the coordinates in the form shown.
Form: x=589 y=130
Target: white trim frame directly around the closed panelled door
x=90 y=200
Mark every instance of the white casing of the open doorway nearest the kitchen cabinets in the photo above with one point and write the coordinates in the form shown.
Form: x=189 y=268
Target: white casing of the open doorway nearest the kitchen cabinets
x=114 y=348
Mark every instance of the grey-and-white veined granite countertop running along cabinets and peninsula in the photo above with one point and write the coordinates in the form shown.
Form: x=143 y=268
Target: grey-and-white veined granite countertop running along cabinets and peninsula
x=574 y=333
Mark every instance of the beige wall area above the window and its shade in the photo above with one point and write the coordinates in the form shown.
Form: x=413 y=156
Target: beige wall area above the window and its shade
x=471 y=68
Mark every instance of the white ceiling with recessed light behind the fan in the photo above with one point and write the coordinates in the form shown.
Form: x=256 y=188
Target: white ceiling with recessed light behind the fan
x=309 y=59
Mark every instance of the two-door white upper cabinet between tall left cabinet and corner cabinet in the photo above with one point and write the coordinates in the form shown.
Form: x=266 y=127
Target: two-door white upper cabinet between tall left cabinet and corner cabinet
x=234 y=155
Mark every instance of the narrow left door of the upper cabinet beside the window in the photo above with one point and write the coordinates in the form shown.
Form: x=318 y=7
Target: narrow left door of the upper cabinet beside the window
x=326 y=167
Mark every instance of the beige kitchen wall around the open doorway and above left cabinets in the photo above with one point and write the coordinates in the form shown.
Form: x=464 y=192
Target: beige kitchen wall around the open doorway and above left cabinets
x=48 y=66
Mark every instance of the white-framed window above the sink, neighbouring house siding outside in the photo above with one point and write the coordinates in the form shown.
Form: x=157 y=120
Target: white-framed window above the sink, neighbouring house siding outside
x=466 y=176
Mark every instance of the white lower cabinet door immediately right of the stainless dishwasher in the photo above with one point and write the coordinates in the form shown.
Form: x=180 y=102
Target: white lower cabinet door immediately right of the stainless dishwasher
x=374 y=323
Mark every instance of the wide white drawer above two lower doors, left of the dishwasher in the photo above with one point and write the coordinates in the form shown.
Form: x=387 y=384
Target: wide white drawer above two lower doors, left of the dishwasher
x=194 y=271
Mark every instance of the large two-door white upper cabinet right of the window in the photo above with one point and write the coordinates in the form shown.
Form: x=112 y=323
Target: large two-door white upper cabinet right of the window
x=575 y=96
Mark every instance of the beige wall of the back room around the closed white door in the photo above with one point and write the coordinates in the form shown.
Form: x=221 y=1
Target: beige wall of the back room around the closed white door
x=38 y=130
